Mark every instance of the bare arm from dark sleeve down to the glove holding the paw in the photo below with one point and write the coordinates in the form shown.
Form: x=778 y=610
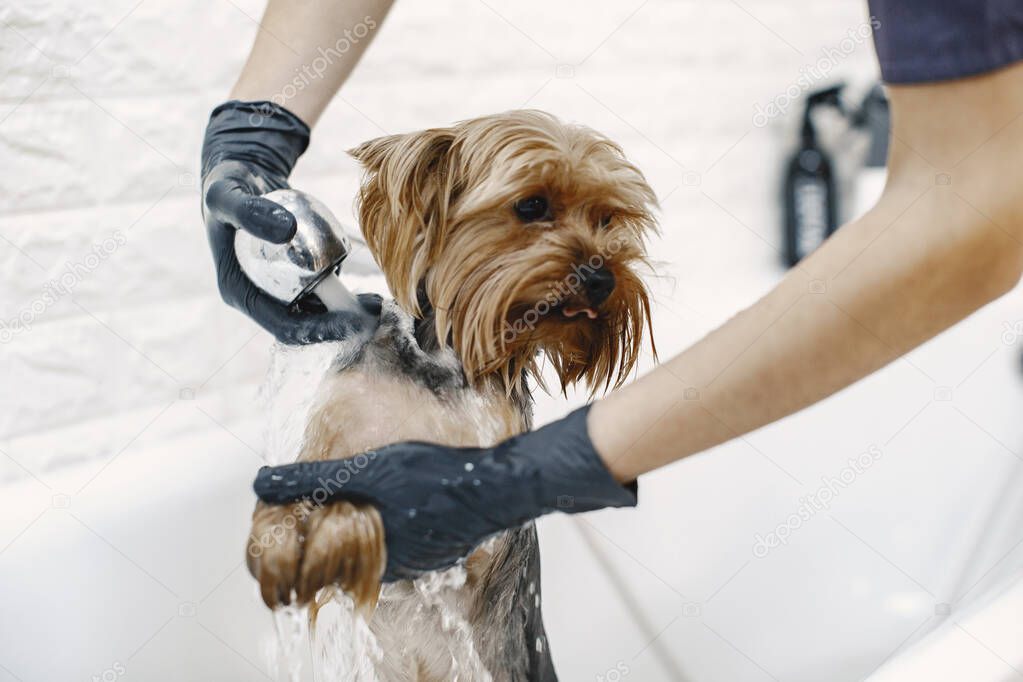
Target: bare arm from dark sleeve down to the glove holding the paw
x=928 y=255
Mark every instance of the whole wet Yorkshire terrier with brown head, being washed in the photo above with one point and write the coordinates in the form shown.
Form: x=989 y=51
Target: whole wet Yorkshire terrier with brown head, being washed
x=505 y=240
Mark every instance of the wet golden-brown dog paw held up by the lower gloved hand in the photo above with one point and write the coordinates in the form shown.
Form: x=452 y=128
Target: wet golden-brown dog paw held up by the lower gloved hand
x=295 y=551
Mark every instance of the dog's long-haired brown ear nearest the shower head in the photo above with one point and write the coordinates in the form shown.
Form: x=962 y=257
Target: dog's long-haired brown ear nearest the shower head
x=404 y=204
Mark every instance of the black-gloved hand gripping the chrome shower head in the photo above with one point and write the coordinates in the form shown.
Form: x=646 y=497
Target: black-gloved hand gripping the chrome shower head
x=250 y=150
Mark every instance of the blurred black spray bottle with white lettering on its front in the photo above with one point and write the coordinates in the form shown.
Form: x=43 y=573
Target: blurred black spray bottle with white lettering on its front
x=811 y=201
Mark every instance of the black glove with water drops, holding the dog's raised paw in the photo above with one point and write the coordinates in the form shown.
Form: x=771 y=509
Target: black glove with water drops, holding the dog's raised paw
x=438 y=503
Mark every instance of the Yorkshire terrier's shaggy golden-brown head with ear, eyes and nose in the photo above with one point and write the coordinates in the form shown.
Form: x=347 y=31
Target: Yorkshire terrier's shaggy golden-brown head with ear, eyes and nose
x=524 y=235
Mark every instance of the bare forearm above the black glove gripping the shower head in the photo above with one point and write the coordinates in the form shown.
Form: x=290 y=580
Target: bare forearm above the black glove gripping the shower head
x=304 y=53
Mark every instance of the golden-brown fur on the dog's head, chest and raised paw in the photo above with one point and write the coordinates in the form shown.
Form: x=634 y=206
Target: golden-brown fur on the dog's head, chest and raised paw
x=437 y=209
